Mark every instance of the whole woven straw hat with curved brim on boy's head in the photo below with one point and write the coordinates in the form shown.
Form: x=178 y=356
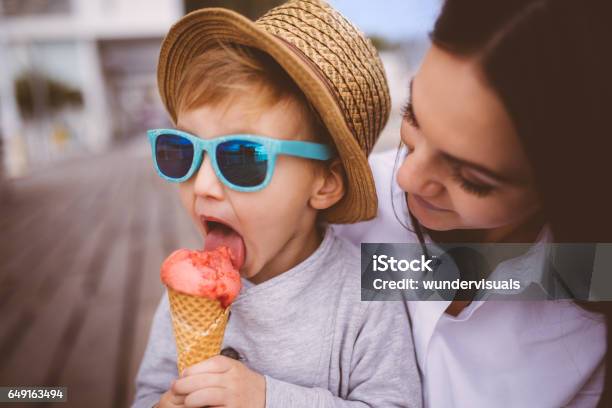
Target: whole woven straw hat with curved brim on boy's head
x=332 y=62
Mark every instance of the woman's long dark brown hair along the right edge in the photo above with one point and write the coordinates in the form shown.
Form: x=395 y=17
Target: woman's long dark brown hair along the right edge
x=550 y=62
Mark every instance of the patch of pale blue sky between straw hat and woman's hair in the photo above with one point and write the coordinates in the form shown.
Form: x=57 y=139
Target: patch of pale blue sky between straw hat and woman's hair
x=393 y=19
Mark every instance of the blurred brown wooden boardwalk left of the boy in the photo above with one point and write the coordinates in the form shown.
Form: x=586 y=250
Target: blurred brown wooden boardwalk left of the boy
x=80 y=249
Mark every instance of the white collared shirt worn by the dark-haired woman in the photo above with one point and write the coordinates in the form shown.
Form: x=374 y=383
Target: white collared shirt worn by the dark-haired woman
x=494 y=353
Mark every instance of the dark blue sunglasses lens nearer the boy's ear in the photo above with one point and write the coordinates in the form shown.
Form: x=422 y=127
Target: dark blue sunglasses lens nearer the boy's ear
x=242 y=162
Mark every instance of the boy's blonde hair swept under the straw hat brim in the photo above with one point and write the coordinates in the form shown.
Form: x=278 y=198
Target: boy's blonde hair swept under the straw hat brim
x=228 y=70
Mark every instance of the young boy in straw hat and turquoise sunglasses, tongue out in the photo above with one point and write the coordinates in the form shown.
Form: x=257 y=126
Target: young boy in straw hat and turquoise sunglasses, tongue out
x=289 y=108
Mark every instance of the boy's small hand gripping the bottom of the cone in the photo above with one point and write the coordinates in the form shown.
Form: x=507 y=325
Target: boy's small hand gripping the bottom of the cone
x=221 y=382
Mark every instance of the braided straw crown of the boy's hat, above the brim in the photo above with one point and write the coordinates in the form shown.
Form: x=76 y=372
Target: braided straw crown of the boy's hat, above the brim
x=348 y=62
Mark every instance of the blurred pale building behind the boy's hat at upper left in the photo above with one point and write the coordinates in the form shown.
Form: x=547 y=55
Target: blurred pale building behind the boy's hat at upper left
x=77 y=75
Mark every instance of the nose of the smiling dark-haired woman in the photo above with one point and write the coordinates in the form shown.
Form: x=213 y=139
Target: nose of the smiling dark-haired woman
x=418 y=175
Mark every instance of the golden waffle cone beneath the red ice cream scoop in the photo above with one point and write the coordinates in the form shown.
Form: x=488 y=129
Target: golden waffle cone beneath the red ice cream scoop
x=199 y=324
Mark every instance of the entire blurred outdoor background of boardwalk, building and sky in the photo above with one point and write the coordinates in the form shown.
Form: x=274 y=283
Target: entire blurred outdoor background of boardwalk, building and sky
x=84 y=220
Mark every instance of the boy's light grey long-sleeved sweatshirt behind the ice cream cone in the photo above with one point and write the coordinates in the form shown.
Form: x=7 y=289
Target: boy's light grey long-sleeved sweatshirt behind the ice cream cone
x=310 y=335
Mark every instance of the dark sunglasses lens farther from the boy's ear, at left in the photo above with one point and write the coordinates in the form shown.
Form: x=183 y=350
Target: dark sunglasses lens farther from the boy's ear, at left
x=174 y=155
